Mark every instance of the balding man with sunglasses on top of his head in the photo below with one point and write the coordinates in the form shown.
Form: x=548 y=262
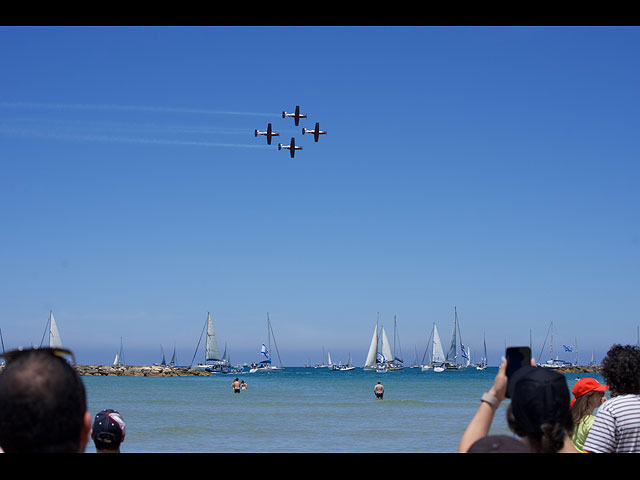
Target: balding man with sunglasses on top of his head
x=43 y=406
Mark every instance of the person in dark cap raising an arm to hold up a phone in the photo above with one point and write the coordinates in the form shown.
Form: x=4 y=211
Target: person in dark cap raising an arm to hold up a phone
x=538 y=413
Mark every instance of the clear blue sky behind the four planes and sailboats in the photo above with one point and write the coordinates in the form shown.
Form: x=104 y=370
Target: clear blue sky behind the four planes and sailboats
x=490 y=169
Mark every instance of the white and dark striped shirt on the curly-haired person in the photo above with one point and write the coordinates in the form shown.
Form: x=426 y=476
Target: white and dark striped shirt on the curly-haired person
x=616 y=427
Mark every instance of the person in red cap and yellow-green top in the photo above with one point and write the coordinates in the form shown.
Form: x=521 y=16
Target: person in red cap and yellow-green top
x=588 y=395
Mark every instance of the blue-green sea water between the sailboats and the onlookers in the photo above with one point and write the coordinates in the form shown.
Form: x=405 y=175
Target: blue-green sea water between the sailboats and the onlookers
x=298 y=410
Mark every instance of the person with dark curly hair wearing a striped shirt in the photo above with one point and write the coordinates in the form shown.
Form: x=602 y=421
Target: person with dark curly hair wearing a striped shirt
x=616 y=427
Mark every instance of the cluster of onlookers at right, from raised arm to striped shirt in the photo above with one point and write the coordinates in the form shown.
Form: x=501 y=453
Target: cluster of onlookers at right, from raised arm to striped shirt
x=545 y=419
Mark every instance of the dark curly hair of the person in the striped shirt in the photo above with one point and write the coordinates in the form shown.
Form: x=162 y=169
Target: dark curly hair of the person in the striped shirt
x=621 y=369
